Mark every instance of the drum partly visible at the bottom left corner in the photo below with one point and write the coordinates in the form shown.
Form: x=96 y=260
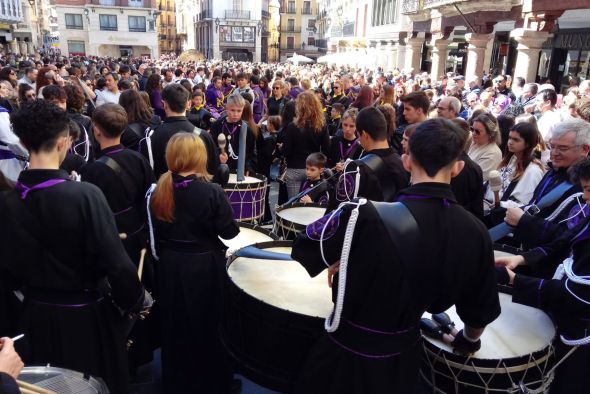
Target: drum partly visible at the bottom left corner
x=62 y=381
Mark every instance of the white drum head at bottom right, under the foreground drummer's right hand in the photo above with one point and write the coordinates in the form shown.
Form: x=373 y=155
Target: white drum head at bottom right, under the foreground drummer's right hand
x=518 y=331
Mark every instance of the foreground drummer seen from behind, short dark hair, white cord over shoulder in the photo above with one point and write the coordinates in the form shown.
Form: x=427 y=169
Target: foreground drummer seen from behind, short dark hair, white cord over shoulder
x=372 y=343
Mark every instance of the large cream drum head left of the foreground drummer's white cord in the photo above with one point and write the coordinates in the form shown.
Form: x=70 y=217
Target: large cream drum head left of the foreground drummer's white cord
x=283 y=284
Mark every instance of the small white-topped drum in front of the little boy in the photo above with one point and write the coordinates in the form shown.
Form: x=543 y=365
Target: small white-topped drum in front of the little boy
x=291 y=220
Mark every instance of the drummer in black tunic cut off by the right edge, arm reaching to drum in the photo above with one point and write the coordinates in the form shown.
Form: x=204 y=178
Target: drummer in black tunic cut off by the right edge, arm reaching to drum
x=565 y=297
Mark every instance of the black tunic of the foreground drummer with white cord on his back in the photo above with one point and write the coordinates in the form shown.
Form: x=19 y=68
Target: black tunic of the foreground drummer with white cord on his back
x=453 y=265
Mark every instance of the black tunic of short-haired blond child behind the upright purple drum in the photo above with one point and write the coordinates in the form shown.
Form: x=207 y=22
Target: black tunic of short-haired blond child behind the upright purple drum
x=232 y=136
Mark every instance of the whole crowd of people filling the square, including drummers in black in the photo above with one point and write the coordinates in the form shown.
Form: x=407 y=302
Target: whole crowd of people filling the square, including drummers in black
x=102 y=160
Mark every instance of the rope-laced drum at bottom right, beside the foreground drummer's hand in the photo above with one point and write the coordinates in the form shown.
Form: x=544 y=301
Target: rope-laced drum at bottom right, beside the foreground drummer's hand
x=516 y=355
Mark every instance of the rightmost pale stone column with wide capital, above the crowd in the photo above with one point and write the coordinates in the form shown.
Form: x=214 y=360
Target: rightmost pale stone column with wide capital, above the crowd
x=529 y=47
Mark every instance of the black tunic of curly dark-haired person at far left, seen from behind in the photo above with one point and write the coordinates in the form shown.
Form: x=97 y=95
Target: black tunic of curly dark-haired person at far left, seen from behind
x=67 y=320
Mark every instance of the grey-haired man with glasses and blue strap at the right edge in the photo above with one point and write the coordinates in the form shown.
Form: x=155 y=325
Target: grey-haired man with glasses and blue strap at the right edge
x=540 y=222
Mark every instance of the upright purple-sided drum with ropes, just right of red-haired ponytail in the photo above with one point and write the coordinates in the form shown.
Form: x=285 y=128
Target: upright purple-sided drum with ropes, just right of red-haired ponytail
x=246 y=197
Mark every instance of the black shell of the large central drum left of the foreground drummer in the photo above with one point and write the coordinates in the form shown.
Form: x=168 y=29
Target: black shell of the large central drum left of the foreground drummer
x=269 y=344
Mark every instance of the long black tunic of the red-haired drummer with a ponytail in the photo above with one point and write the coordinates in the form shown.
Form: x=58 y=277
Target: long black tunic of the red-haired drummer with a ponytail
x=191 y=261
